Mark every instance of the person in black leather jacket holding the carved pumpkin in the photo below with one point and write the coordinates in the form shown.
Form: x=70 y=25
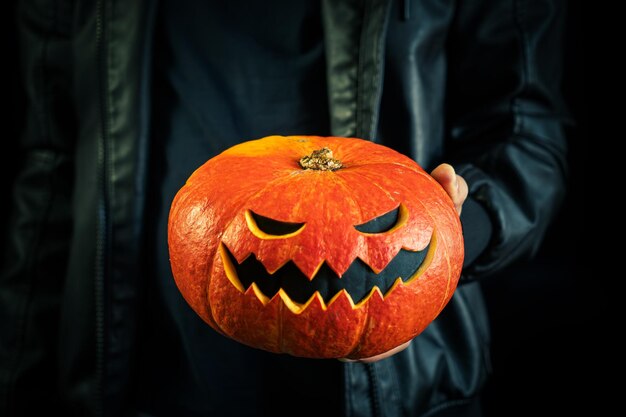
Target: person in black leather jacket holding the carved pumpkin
x=126 y=99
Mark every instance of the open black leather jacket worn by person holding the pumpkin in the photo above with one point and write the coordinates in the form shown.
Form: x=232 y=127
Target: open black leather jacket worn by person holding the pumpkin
x=474 y=82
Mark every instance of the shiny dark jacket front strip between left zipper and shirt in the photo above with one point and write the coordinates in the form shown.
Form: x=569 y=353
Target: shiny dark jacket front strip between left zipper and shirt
x=125 y=50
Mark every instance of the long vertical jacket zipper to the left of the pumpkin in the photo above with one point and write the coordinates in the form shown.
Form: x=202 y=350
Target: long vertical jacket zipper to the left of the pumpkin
x=102 y=218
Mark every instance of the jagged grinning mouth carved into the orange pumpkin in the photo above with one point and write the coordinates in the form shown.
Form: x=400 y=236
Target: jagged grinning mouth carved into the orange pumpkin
x=358 y=280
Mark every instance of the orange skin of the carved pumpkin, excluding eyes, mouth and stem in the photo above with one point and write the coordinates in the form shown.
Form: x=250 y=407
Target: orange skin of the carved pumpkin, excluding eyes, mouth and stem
x=209 y=217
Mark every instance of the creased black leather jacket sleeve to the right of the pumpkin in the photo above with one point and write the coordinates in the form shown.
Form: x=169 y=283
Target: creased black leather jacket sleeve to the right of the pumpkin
x=505 y=120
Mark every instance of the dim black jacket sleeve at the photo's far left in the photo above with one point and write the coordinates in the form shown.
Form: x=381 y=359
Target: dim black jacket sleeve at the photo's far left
x=38 y=230
